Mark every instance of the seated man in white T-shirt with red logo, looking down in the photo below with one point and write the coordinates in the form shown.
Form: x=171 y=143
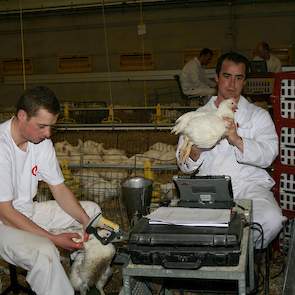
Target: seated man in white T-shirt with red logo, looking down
x=27 y=156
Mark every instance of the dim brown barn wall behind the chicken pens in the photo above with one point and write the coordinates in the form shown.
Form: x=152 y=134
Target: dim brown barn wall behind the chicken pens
x=170 y=30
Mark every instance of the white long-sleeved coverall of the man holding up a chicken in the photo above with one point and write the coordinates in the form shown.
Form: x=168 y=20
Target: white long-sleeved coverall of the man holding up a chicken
x=249 y=179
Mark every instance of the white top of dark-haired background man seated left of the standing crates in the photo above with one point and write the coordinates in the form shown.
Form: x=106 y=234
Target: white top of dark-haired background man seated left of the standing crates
x=194 y=80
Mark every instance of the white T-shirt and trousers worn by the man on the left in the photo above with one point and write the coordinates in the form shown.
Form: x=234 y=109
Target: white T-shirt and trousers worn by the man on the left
x=20 y=172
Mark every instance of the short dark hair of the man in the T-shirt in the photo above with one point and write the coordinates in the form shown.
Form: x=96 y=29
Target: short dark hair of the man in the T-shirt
x=40 y=97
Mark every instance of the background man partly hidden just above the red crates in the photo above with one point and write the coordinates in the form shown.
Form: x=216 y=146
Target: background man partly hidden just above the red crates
x=272 y=62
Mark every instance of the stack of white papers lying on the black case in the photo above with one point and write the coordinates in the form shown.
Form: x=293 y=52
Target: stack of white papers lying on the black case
x=190 y=216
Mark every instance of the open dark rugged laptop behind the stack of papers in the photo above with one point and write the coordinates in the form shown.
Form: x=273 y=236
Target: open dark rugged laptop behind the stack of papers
x=204 y=191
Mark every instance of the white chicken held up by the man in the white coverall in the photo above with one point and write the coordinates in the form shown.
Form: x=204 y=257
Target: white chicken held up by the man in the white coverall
x=203 y=127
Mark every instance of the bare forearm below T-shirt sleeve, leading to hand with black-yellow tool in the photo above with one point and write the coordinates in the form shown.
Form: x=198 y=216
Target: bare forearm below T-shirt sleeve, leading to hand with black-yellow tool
x=69 y=203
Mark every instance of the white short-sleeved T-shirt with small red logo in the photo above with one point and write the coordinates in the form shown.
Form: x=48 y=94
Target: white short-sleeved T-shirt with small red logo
x=21 y=170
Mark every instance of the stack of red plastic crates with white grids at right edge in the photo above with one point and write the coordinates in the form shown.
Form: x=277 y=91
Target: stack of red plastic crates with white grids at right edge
x=284 y=115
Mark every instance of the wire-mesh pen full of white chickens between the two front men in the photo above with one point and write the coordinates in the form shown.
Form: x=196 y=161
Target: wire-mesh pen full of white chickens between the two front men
x=95 y=171
